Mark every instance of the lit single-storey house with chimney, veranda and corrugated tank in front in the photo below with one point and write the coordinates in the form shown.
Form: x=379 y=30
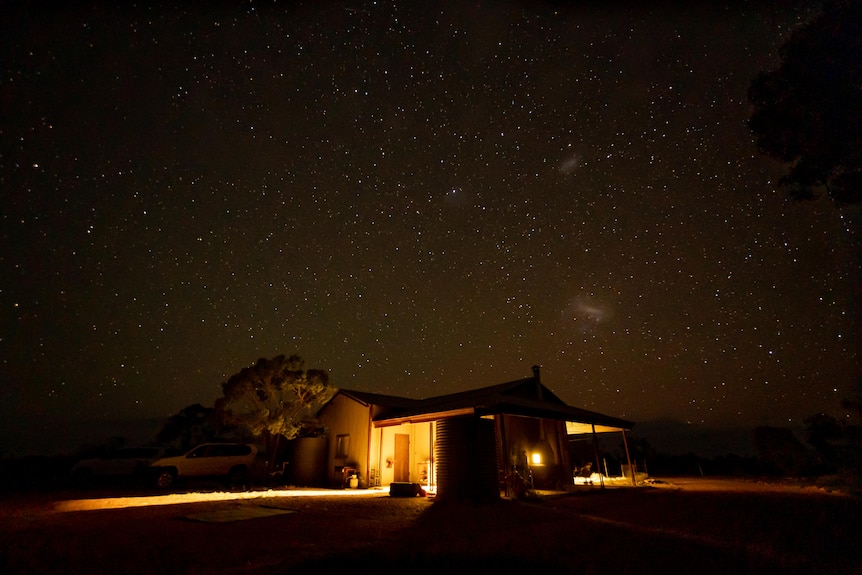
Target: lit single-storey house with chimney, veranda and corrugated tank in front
x=463 y=443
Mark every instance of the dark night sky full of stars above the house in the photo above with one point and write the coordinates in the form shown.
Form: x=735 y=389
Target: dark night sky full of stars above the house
x=421 y=198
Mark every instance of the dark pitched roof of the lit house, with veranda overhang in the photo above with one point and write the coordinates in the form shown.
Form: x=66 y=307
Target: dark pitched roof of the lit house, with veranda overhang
x=523 y=397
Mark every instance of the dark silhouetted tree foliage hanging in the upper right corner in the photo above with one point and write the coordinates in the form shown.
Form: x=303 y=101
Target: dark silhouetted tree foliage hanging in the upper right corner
x=808 y=112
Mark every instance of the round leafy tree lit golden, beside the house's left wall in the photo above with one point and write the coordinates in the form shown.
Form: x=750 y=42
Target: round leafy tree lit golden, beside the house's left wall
x=273 y=399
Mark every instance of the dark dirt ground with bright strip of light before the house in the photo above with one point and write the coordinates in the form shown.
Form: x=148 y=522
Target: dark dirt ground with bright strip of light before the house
x=677 y=526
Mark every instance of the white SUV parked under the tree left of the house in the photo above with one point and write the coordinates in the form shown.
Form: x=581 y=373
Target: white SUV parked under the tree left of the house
x=231 y=460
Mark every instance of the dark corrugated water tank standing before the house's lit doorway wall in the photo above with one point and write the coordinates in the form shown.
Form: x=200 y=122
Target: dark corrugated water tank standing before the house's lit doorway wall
x=466 y=457
